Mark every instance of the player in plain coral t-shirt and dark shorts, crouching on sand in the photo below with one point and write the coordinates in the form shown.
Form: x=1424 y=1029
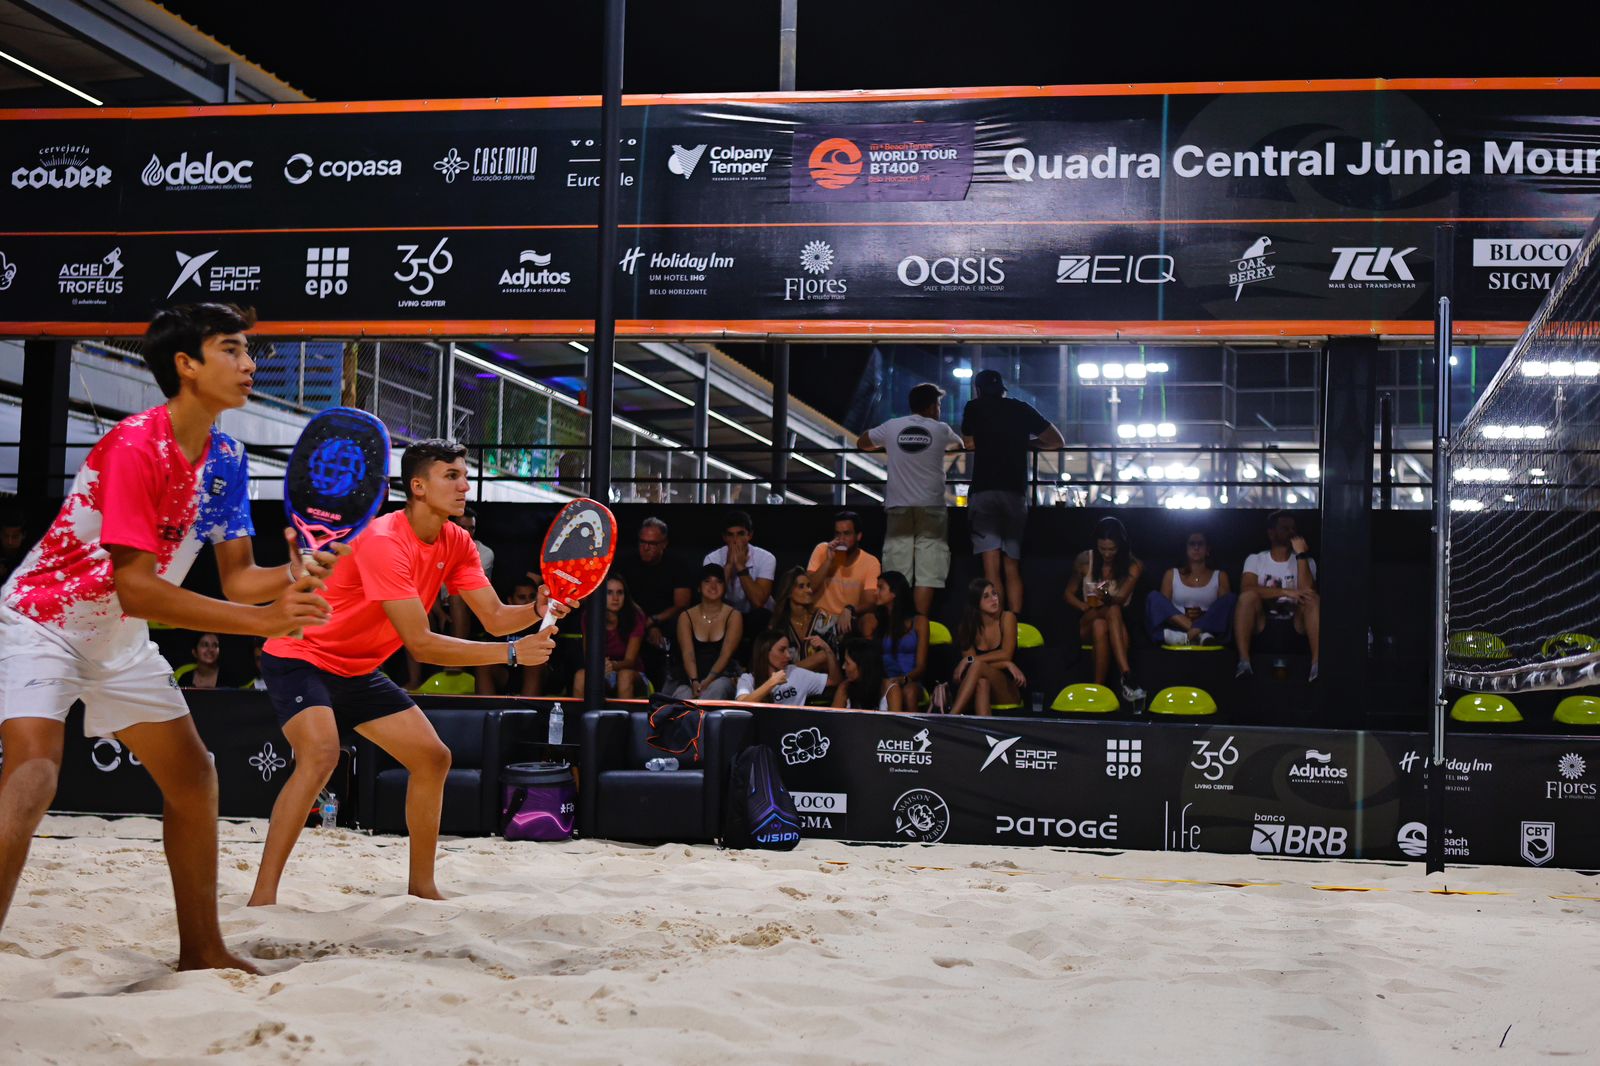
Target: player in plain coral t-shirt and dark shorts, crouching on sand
x=382 y=596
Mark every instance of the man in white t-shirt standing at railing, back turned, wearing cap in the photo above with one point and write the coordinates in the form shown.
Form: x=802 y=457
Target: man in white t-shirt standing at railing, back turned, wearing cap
x=918 y=539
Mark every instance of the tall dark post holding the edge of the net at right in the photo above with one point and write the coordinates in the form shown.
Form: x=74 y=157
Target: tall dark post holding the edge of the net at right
x=1444 y=283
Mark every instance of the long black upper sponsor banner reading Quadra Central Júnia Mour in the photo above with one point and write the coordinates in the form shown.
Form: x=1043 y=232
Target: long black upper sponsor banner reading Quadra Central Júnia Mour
x=1146 y=209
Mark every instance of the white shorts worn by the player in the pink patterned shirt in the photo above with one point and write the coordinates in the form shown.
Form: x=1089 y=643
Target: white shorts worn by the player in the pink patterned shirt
x=42 y=676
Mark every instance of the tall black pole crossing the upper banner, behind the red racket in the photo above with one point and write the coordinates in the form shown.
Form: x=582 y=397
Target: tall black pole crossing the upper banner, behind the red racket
x=602 y=355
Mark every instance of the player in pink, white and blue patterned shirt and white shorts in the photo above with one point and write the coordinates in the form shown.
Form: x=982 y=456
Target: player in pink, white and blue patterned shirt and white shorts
x=73 y=615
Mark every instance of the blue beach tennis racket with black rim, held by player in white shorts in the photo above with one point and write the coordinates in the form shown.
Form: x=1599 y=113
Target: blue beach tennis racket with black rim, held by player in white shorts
x=338 y=476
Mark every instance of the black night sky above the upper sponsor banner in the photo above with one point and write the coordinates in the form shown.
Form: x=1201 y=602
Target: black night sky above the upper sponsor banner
x=366 y=50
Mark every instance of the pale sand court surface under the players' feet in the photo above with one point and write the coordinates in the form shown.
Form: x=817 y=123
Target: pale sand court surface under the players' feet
x=593 y=953
